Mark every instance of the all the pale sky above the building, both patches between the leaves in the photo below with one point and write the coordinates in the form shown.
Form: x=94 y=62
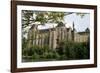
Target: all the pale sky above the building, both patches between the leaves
x=80 y=23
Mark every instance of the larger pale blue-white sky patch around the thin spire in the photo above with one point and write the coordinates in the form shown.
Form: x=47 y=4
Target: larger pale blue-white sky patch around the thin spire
x=80 y=23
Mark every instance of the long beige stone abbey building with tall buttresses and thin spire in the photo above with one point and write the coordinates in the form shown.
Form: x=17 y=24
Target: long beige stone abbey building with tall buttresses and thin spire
x=53 y=36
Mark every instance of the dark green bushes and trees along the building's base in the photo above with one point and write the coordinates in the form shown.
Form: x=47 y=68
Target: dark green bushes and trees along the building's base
x=67 y=50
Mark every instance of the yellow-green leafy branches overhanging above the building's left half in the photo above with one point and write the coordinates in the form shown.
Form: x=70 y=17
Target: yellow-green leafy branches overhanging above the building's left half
x=41 y=16
